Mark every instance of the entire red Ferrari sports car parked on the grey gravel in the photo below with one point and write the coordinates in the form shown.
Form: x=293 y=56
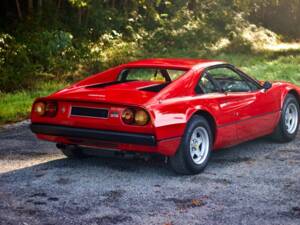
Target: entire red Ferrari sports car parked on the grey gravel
x=180 y=108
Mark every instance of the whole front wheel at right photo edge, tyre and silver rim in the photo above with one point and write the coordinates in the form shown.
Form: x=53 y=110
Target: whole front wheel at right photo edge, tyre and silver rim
x=288 y=125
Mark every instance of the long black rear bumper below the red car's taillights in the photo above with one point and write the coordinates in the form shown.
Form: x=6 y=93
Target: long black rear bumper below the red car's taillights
x=103 y=135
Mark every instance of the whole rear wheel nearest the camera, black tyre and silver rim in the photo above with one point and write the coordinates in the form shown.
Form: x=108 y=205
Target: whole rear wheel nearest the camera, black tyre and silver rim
x=194 y=151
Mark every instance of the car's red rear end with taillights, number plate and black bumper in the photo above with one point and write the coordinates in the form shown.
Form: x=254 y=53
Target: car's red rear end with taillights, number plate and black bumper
x=103 y=125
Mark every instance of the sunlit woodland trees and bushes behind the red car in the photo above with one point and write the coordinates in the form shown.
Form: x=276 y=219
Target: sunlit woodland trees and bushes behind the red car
x=69 y=39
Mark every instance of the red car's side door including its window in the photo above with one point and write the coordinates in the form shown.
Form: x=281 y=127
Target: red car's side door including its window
x=251 y=104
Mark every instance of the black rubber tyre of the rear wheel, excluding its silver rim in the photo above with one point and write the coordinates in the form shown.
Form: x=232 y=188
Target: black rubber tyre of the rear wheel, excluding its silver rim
x=182 y=162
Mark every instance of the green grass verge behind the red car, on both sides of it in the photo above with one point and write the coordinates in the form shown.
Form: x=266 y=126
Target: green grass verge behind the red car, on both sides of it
x=265 y=66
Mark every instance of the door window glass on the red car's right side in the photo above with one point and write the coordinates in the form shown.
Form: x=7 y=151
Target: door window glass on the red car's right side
x=229 y=80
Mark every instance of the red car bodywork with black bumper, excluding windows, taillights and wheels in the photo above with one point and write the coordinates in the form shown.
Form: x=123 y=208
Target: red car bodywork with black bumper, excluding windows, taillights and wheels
x=234 y=117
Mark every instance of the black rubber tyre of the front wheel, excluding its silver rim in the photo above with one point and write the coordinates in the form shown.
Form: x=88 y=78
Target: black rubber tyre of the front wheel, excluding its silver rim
x=281 y=133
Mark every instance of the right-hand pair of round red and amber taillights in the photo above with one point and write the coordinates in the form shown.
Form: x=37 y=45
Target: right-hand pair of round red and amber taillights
x=135 y=117
